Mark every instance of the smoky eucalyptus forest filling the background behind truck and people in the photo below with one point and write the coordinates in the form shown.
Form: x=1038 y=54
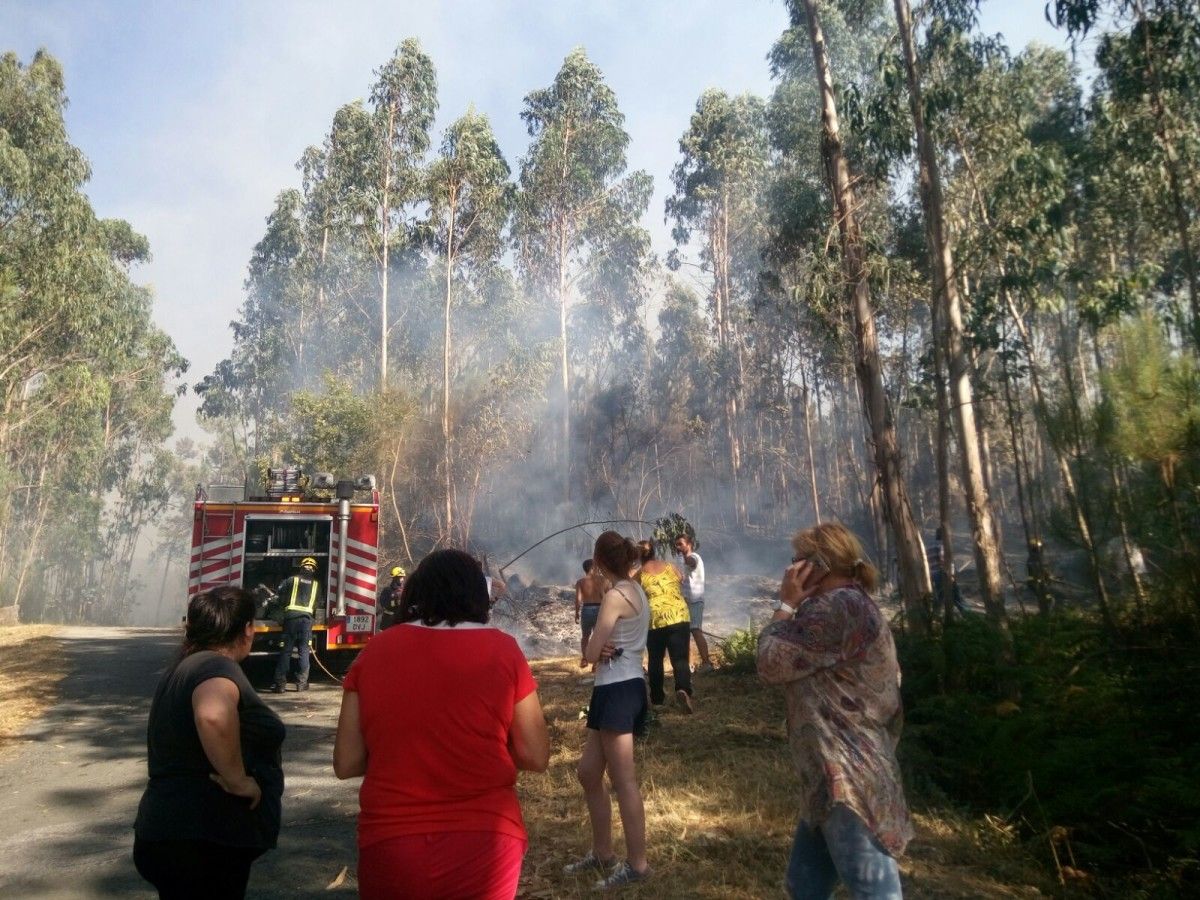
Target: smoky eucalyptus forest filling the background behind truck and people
x=931 y=283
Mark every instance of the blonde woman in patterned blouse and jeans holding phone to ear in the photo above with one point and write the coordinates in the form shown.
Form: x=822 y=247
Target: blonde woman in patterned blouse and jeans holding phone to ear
x=831 y=650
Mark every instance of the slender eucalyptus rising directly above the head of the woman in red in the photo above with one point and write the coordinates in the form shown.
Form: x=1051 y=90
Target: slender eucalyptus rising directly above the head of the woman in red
x=471 y=200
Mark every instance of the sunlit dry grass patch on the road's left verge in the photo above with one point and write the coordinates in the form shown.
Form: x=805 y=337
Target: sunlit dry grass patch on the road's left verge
x=32 y=665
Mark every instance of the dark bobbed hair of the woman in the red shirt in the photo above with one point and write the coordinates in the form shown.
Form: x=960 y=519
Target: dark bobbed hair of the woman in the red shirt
x=448 y=586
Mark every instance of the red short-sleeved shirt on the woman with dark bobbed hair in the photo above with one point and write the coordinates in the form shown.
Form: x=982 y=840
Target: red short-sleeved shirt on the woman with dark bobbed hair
x=436 y=707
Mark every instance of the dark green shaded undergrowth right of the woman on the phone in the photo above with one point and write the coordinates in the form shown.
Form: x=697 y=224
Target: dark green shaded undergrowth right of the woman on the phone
x=1100 y=743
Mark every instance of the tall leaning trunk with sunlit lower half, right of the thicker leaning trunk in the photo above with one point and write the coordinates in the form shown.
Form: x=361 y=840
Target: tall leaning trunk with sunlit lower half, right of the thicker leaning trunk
x=980 y=509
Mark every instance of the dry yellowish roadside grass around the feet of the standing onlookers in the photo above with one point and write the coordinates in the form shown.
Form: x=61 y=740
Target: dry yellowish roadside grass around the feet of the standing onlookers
x=721 y=809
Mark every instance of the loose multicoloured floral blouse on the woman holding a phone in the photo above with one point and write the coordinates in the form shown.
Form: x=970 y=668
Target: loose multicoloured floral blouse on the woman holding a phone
x=838 y=667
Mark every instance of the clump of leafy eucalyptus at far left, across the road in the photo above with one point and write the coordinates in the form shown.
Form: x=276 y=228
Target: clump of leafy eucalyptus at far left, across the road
x=85 y=374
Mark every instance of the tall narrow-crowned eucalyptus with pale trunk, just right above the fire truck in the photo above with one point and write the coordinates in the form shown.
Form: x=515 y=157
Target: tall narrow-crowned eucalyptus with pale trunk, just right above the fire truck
x=404 y=101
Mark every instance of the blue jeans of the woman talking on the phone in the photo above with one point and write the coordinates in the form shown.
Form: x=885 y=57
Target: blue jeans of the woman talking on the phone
x=841 y=848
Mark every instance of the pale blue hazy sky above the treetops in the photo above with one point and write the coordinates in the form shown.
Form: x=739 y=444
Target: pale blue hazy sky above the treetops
x=194 y=115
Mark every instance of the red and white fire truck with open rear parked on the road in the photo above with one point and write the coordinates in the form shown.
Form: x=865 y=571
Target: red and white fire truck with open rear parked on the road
x=257 y=542
